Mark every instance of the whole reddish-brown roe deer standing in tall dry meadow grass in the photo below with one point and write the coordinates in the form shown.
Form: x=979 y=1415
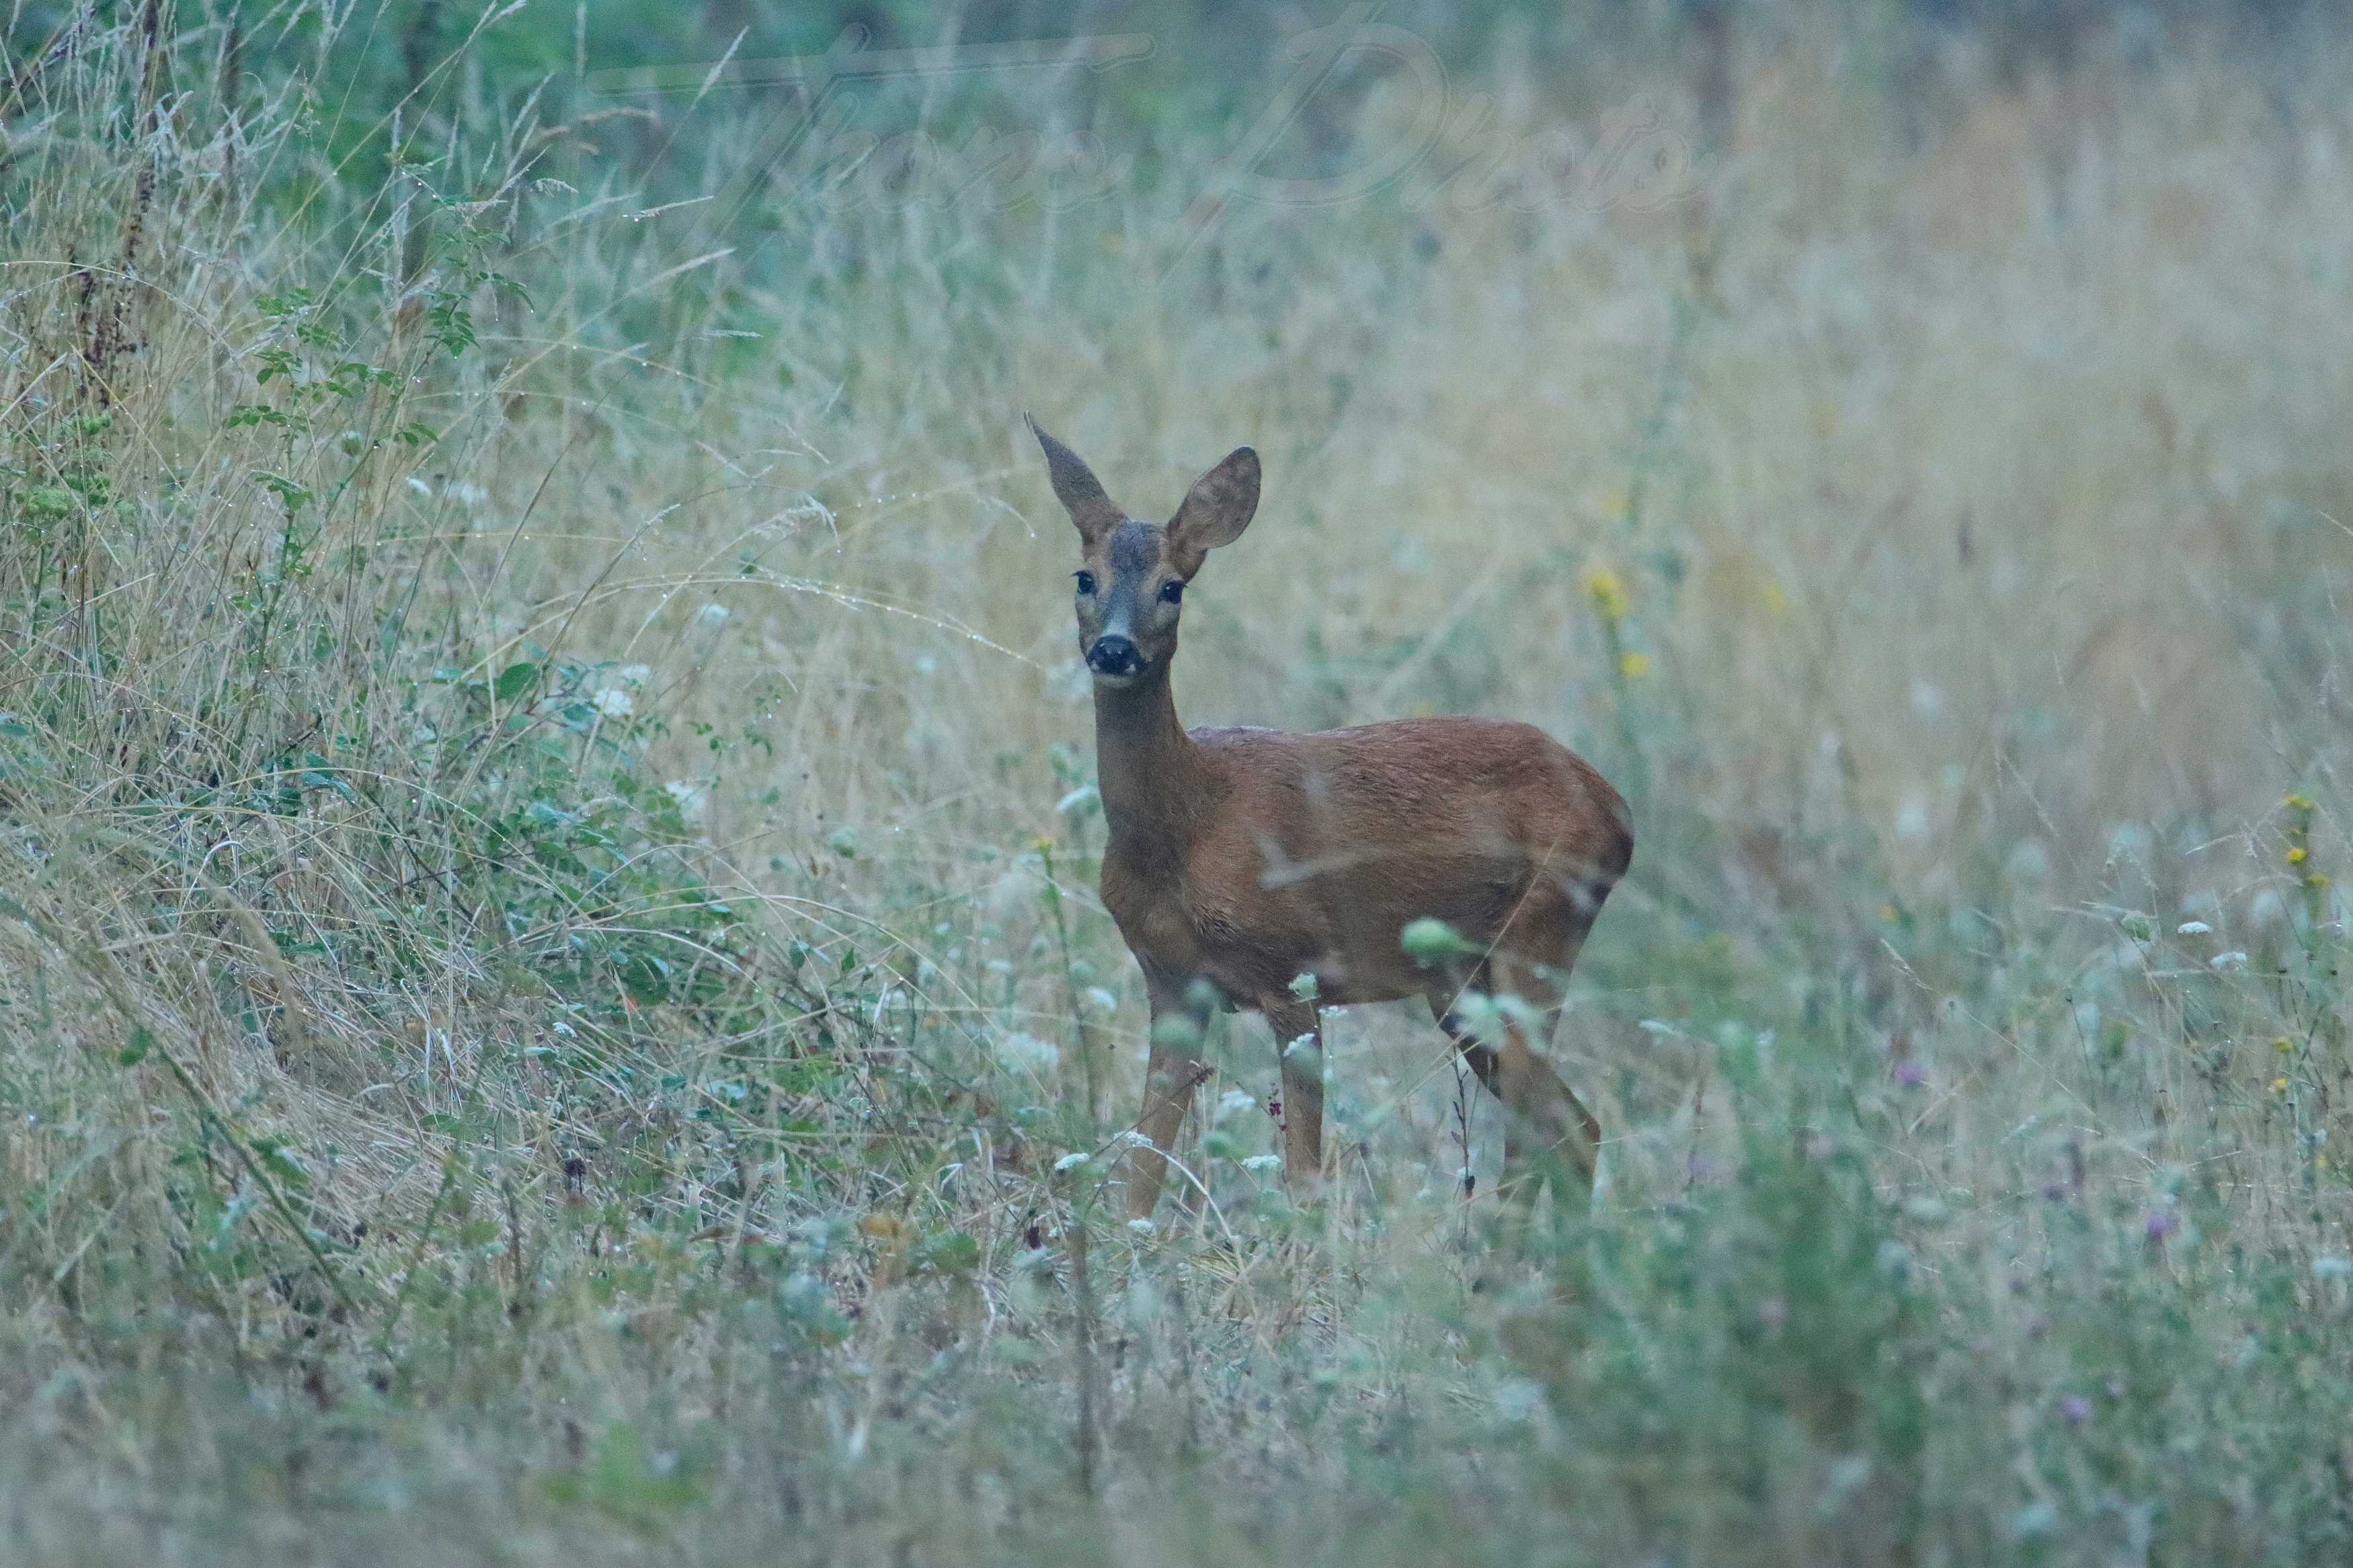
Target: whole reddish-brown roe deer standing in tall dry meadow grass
x=1253 y=857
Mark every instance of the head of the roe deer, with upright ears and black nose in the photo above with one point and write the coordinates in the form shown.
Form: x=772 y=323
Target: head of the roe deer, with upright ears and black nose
x=1133 y=575
